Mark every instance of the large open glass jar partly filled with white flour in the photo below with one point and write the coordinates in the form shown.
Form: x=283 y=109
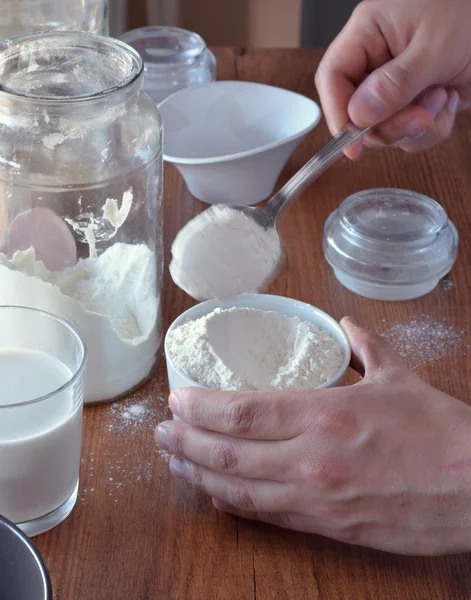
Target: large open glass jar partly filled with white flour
x=80 y=198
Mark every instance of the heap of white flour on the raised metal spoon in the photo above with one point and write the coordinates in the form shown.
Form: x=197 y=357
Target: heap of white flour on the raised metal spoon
x=222 y=252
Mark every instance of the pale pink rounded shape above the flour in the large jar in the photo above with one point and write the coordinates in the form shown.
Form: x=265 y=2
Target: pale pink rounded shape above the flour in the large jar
x=40 y=228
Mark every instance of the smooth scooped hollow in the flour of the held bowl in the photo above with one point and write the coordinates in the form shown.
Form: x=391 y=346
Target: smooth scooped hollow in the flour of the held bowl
x=244 y=341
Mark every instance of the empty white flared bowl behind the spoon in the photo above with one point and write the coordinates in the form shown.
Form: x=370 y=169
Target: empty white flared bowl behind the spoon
x=231 y=139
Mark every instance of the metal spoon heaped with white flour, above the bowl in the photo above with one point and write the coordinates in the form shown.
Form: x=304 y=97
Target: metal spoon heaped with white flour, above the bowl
x=228 y=250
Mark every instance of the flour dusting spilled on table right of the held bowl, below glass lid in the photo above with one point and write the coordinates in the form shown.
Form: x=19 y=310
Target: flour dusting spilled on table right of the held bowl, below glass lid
x=423 y=340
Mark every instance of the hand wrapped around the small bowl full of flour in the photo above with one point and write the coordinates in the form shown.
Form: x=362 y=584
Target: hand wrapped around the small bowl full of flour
x=385 y=463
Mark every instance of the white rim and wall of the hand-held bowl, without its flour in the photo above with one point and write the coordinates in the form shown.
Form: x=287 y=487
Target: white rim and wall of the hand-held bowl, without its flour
x=280 y=304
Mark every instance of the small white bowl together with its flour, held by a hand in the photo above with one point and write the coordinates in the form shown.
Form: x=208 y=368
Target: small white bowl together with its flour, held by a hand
x=256 y=342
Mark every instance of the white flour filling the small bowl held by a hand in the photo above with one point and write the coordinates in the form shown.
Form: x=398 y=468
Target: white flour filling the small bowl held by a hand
x=247 y=349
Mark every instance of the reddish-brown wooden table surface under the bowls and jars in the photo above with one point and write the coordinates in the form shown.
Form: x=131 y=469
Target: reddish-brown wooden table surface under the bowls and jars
x=139 y=534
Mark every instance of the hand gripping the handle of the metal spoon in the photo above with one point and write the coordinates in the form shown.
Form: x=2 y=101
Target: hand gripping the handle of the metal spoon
x=406 y=63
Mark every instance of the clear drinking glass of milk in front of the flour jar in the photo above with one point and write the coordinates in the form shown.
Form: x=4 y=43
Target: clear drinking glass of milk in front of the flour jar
x=42 y=372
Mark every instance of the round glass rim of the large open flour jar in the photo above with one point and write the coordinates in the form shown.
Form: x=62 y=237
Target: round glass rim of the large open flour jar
x=72 y=39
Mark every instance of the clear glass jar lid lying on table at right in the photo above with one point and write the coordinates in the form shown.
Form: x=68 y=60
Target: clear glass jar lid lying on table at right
x=390 y=236
